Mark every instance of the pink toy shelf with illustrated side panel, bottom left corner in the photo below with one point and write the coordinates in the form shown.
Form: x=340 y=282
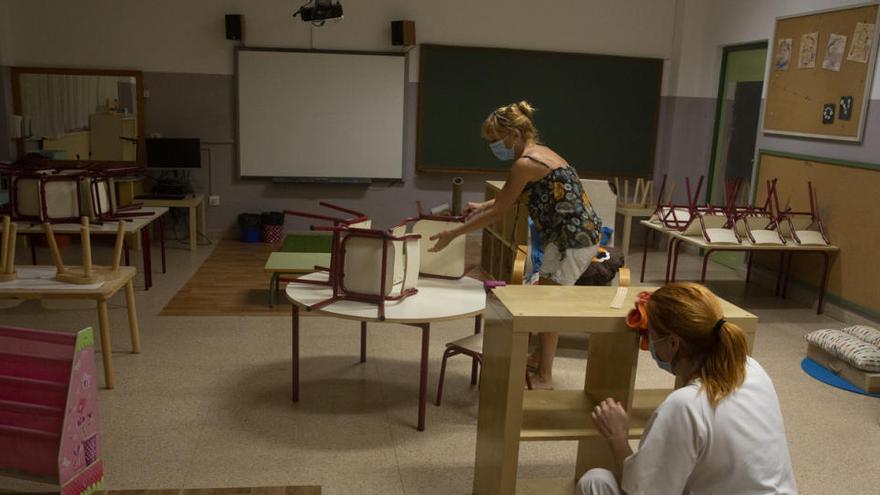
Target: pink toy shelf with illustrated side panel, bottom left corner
x=49 y=409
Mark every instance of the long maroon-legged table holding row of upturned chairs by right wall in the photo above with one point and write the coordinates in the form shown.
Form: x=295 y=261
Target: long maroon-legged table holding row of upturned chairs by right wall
x=786 y=251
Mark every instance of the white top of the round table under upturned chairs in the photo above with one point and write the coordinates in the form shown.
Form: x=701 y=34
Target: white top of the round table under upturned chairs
x=437 y=299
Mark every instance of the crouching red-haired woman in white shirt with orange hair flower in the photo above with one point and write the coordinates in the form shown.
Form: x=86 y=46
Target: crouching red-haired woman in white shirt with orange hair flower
x=720 y=433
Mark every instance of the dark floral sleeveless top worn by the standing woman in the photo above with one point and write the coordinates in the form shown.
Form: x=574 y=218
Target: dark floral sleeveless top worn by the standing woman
x=561 y=210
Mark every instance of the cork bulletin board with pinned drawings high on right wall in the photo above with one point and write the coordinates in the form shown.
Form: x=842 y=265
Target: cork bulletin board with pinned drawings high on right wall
x=821 y=69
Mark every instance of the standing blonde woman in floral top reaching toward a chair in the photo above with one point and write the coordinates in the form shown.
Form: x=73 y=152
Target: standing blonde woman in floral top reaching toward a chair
x=557 y=204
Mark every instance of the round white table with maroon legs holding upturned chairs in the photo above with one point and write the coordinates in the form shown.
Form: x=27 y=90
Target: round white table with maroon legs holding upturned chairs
x=437 y=300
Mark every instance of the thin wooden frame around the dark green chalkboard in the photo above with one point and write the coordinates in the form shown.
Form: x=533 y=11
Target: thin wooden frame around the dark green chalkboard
x=656 y=87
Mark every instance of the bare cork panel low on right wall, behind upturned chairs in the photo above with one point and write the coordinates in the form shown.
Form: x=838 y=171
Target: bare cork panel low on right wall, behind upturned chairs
x=846 y=193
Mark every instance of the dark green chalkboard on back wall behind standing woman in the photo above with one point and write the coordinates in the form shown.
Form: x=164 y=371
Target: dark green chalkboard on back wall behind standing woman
x=599 y=112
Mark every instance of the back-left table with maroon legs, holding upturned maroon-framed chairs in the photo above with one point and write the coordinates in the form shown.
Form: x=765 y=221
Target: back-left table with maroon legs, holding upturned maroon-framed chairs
x=136 y=225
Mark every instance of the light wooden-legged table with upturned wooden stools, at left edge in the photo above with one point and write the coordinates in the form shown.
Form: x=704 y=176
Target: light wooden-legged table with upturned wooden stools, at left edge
x=35 y=282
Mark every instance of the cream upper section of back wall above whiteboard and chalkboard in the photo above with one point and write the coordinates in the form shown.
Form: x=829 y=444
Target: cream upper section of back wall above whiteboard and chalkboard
x=188 y=36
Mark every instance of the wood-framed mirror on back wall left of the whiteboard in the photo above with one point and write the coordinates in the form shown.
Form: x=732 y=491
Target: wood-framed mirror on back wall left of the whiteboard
x=71 y=116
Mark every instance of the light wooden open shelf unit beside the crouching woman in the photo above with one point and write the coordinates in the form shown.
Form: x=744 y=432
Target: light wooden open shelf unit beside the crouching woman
x=509 y=415
